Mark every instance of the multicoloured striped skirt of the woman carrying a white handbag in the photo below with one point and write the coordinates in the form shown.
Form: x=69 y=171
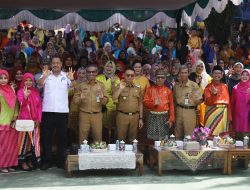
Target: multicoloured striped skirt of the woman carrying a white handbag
x=29 y=145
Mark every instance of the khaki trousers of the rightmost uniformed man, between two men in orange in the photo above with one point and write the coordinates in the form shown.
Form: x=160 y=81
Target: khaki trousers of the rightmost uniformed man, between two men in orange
x=185 y=122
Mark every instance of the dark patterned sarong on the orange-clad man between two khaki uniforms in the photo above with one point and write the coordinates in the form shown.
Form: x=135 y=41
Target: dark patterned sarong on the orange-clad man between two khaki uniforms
x=157 y=125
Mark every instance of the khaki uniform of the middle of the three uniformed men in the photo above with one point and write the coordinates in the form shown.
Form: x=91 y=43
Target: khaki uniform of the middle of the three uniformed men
x=127 y=119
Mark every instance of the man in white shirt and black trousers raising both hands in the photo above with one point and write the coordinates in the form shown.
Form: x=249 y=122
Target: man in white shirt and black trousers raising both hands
x=55 y=111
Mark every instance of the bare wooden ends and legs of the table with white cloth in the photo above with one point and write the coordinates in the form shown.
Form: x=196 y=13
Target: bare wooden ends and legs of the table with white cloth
x=72 y=164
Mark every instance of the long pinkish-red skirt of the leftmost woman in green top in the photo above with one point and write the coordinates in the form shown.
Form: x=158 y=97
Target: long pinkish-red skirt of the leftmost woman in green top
x=8 y=148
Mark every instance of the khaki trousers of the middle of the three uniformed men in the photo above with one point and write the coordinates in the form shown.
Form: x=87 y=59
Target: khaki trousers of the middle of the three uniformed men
x=127 y=126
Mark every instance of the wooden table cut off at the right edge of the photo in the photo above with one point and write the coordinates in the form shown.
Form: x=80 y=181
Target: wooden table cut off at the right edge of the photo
x=240 y=153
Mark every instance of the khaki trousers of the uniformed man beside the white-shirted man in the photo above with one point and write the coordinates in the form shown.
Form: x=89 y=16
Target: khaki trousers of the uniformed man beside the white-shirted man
x=89 y=122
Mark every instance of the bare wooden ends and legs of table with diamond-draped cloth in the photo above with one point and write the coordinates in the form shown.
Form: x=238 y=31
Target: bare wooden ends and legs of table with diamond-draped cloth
x=161 y=156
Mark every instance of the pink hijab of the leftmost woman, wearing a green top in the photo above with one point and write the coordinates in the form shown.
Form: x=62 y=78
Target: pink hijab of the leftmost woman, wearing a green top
x=7 y=92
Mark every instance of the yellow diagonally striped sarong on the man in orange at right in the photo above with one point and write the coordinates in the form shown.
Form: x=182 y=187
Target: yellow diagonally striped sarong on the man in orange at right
x=216 y=119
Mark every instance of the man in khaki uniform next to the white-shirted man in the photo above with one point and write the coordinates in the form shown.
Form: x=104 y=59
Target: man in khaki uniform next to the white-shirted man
x=90 y=96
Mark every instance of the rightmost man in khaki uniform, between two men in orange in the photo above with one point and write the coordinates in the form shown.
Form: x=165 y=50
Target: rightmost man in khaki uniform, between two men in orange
x=187 y=96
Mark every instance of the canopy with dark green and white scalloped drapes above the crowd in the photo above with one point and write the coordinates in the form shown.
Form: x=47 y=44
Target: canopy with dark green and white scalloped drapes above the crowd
x=97 y=15
